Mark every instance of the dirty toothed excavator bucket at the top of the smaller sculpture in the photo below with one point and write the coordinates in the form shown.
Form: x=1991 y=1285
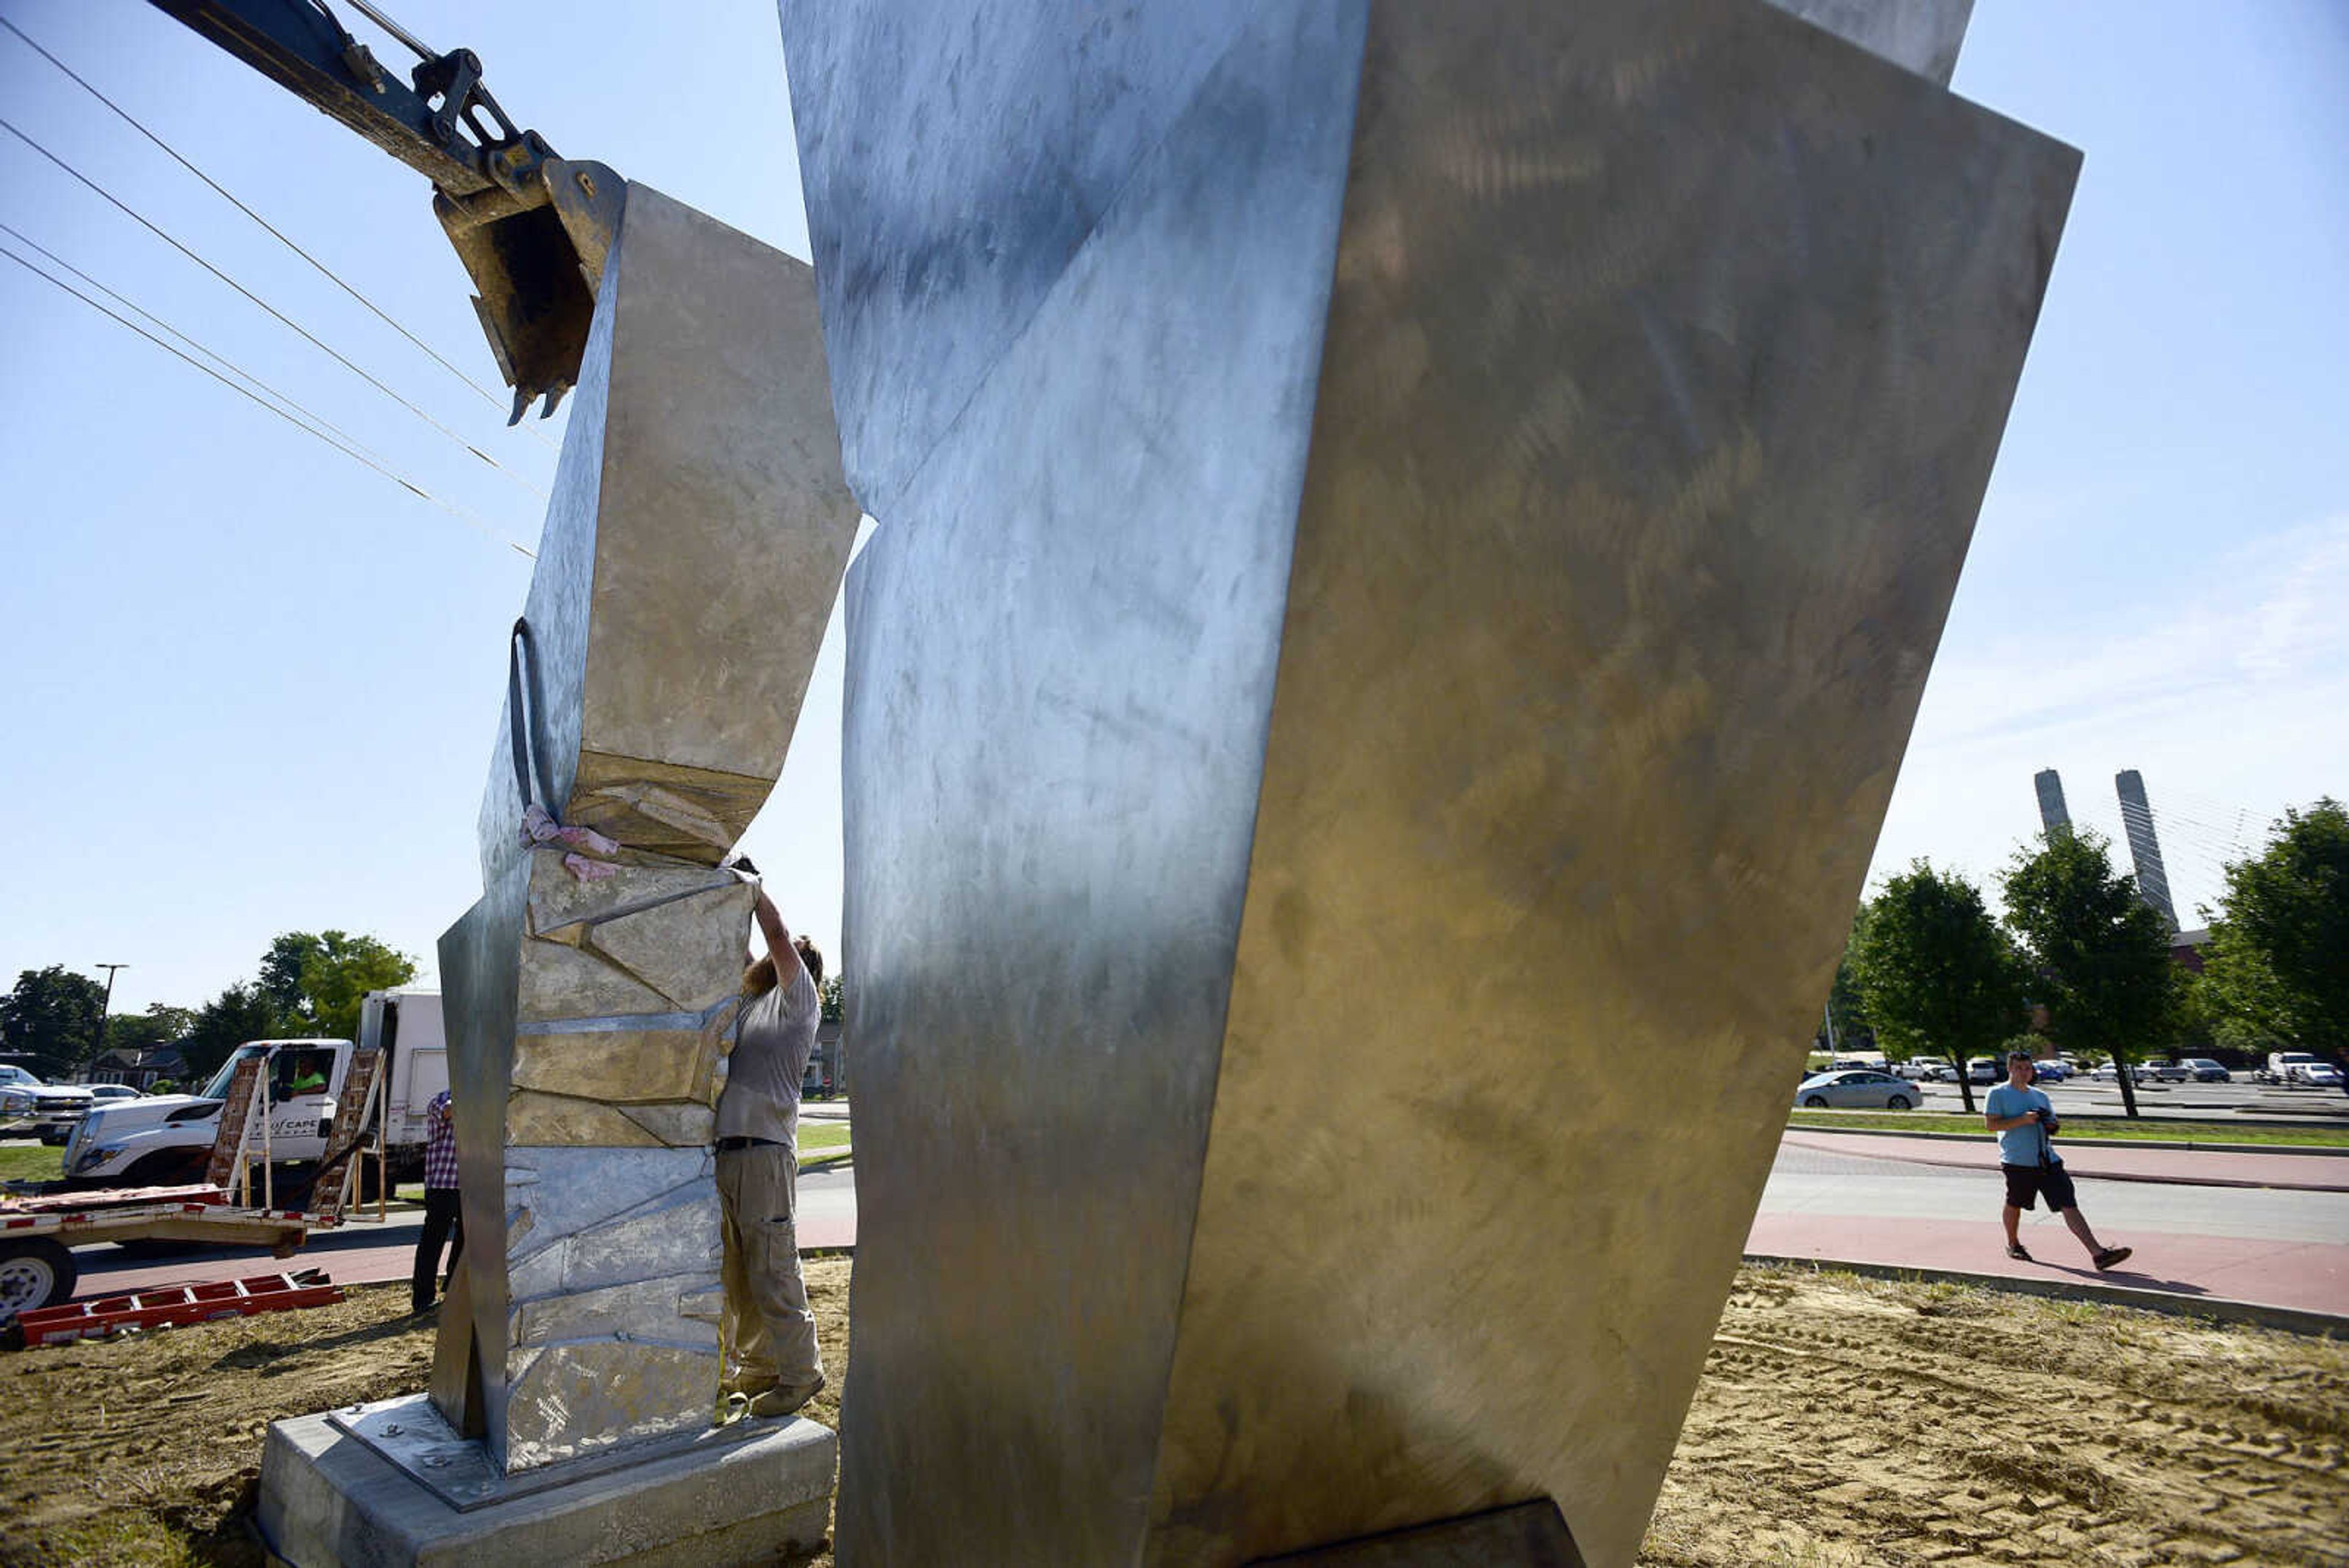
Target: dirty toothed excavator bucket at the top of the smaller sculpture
x=537 y=262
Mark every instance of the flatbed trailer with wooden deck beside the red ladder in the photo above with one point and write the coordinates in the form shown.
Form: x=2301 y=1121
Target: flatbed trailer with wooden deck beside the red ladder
x=39 y=1233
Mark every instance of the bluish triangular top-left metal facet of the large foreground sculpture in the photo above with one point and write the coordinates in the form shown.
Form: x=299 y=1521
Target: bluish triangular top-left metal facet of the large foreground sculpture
x=957 y=154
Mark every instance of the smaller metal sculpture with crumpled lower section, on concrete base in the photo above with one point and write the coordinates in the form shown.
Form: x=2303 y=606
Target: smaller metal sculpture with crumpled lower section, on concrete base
x=685 y=579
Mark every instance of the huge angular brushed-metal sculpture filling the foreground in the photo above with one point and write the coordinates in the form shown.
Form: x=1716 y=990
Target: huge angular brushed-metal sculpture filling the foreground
x=1411 y=542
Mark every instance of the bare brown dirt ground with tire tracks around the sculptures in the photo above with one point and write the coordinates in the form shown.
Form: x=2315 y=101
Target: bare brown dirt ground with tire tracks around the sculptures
x=1840 y=1421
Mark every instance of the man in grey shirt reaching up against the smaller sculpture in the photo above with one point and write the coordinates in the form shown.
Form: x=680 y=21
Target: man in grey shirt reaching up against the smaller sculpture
x=767 y=1301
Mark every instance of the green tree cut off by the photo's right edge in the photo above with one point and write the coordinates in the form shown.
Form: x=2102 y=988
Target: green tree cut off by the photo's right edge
x=2280 y=953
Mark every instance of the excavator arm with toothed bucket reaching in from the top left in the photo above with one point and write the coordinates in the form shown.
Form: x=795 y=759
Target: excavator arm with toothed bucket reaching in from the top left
x=530 y=227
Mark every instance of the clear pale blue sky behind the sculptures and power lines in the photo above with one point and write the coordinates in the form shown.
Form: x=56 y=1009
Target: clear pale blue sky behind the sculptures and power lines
x=250 y=685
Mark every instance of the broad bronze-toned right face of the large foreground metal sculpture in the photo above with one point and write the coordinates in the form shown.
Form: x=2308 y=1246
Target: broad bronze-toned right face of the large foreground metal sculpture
x=1667 y=366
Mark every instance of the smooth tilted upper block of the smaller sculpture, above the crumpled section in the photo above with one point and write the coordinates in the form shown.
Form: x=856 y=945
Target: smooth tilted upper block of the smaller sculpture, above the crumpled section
x=694 y=542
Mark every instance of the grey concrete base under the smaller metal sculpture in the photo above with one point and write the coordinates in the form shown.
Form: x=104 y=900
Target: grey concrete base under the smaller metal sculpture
x=330 y=1501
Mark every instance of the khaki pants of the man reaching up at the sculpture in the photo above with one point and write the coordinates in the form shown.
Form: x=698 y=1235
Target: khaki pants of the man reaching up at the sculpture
x=767 y=1301
